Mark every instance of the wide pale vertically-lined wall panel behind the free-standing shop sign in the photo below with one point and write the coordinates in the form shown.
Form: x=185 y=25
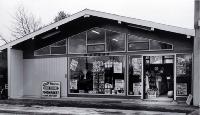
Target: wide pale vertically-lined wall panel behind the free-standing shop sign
x=44 y=69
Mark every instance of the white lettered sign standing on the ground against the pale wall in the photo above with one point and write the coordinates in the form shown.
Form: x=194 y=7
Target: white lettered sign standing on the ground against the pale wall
x=50 y=89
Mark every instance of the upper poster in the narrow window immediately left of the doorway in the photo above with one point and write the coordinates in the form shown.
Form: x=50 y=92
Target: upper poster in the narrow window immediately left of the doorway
x=137 y=66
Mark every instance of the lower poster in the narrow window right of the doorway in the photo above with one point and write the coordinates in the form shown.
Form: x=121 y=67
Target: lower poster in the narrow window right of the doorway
x=181 y=88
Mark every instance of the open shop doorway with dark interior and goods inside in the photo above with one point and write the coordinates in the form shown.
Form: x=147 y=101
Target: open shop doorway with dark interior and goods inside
x=158 y=77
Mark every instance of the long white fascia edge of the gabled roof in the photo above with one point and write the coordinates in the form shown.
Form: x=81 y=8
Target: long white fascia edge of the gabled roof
x=87 y=12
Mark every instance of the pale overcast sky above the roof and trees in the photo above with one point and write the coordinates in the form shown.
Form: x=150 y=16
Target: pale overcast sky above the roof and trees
x=171 y=12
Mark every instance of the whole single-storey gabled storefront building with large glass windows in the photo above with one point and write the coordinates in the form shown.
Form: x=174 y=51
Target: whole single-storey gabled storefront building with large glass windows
x=95 y=54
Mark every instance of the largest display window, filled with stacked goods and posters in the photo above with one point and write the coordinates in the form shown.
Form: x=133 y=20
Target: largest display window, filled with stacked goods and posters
x=97 y=75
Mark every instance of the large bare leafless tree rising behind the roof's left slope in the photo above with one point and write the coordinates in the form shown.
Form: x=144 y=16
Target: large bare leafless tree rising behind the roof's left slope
x=24 y=23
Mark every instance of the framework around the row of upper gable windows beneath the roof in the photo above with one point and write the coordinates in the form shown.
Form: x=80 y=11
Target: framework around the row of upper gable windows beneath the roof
x=126 y=44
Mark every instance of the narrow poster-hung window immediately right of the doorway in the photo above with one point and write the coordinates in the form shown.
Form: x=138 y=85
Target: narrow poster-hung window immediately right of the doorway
x=184 y=74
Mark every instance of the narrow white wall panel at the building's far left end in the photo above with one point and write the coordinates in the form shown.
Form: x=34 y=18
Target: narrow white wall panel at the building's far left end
x=16 y=74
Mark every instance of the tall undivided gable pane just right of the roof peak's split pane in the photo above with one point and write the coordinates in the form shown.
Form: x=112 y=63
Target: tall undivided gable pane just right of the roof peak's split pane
x=115 y=41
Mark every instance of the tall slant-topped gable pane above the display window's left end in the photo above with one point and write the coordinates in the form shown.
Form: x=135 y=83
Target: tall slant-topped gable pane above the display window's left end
x=77 y=43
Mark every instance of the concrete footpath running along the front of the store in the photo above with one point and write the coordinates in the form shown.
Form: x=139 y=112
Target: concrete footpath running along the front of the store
x=104 y=103
